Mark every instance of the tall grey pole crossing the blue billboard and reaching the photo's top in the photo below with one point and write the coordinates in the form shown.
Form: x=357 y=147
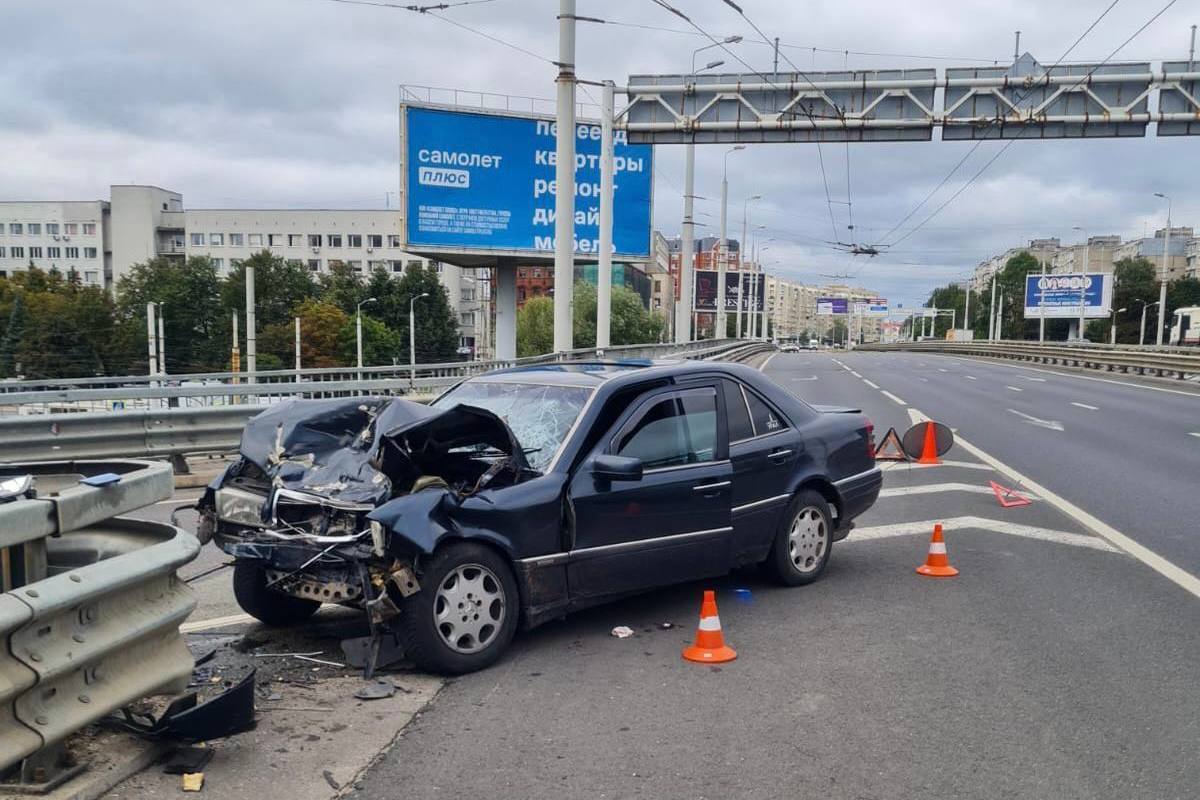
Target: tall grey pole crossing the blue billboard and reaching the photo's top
x=565 y=179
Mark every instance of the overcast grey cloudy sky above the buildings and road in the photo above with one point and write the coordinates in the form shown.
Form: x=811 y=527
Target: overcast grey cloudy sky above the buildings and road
x=292 y=104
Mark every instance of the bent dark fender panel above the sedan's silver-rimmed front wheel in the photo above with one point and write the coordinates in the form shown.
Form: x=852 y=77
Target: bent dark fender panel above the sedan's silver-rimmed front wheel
x=423 y=521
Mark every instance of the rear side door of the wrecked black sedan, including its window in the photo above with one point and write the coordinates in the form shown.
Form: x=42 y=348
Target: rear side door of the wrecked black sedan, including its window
x=764 y=452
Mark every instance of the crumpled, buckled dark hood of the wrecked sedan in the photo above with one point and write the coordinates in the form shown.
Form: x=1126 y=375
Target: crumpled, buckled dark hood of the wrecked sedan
x=332 y=448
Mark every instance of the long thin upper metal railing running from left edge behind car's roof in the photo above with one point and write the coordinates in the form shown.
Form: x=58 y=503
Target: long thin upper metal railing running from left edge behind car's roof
x=145 y=393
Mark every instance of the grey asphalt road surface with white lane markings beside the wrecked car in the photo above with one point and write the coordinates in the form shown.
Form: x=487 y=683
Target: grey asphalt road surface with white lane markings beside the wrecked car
x=1055 y=666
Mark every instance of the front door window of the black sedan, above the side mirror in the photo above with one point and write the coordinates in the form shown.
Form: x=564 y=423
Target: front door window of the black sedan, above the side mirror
x=676 y=431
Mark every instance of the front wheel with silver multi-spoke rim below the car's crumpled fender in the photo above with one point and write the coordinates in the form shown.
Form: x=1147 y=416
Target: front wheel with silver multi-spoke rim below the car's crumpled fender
x=466 y=613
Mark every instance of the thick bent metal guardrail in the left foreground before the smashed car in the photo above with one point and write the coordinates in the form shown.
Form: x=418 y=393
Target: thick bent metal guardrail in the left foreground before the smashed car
x=93 y=622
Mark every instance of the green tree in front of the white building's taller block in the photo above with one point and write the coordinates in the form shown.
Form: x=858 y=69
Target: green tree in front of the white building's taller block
x=189 y=297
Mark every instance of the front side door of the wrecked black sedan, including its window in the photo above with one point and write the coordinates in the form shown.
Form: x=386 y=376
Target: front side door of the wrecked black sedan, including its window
x=674 y=524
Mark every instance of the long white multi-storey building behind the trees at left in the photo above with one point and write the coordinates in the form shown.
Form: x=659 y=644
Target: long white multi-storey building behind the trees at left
x=104 y=239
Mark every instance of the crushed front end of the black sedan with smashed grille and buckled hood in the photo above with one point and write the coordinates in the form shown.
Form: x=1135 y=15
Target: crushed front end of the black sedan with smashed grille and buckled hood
x=297 y=502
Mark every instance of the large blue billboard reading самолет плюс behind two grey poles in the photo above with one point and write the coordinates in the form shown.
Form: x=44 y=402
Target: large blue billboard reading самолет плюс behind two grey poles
x=479 y=182
